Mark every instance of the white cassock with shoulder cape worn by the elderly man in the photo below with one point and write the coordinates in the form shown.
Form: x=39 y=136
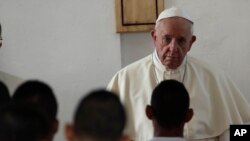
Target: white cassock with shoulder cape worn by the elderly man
x=215 y=99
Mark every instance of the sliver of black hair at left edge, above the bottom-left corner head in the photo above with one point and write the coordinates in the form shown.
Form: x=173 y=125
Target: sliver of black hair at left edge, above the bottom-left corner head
x=4 y=94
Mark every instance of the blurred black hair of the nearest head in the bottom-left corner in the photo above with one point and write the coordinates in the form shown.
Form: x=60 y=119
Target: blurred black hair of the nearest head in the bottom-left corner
x=20 y=122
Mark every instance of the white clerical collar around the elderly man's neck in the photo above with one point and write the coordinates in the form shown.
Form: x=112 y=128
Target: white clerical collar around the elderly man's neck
x=162 y=68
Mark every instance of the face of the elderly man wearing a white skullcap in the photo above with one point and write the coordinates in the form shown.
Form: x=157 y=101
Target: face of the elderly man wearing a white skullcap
x=173 y=39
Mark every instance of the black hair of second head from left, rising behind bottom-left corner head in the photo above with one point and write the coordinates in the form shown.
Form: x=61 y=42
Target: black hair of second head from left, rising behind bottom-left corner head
x=38 y=93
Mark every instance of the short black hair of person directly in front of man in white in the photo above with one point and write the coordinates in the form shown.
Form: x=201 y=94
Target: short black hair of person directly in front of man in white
x=170 y=103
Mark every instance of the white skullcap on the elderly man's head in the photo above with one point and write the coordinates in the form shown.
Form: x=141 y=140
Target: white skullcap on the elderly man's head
x=173 y=12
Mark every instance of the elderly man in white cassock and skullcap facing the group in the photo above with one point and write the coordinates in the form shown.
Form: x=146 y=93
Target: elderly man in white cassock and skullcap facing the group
x=215 y=99
